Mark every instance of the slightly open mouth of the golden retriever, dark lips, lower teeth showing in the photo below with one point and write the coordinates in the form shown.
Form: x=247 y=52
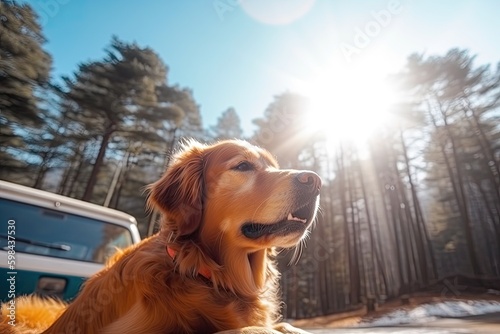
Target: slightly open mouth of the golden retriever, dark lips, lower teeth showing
x=296 y=222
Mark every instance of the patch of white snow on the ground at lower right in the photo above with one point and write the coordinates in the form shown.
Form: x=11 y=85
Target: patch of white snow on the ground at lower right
x=428 y=312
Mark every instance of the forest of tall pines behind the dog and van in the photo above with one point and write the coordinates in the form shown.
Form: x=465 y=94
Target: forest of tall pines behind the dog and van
x=418 y=204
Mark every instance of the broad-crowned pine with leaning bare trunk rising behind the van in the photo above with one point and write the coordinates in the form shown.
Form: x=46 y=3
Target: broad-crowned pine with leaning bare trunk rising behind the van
x=110 y=95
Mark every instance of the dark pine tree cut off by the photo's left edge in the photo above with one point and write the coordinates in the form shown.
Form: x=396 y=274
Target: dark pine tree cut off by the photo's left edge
x=24 y=67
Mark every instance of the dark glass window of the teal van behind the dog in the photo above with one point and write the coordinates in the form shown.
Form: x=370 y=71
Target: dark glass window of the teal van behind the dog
x=53 y=233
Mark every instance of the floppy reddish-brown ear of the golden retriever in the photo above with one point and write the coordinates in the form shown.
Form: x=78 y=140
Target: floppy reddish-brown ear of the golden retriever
x=179 y=192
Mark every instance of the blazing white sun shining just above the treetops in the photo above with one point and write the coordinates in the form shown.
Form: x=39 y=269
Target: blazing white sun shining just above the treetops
x=349 y=105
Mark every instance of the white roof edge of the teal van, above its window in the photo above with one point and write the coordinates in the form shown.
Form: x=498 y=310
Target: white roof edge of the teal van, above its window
x=57 y=202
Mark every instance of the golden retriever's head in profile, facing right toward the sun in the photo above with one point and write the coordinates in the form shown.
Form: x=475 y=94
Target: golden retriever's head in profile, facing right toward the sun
x=235 y=191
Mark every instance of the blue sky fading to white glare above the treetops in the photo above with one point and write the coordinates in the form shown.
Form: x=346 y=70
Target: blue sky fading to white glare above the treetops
x=241 y=53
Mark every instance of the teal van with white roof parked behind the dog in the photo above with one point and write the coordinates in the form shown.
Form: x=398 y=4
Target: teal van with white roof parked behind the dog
x=50 y=244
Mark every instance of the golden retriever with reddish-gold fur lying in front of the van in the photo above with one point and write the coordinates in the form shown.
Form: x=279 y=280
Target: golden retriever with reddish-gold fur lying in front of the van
x=225 y=208
